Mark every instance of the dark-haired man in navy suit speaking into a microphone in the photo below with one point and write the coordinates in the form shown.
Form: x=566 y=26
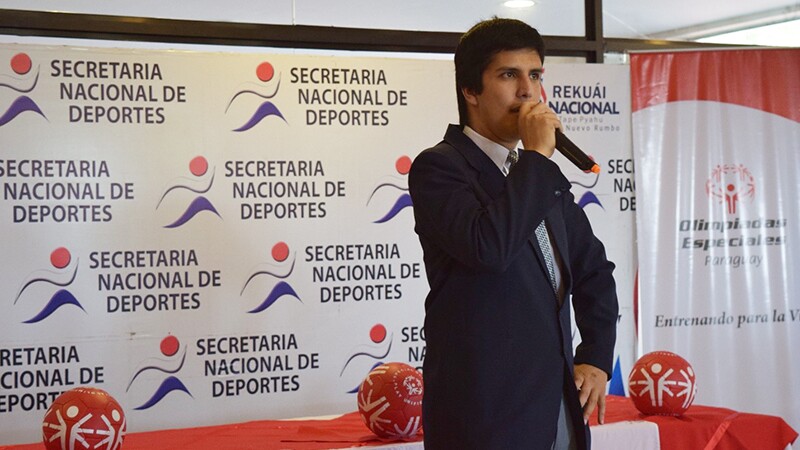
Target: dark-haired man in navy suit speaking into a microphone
x=499 y=370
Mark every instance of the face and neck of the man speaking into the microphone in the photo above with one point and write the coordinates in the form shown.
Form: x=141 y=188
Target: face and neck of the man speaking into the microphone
x=511 y=78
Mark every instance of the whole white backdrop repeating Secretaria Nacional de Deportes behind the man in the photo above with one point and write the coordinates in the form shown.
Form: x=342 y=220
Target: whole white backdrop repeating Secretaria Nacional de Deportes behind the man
x=231 y=234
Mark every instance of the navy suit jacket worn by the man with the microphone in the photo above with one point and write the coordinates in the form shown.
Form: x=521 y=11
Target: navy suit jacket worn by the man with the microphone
x=499 y=348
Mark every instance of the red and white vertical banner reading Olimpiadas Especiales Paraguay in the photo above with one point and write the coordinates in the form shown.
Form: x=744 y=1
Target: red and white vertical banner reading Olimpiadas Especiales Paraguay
x=716 y=143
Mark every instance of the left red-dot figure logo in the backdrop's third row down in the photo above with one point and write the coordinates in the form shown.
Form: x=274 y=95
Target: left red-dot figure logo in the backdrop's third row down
x=60 y=259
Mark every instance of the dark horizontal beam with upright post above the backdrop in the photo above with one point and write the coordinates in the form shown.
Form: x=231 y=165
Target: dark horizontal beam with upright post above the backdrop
x=592 y=46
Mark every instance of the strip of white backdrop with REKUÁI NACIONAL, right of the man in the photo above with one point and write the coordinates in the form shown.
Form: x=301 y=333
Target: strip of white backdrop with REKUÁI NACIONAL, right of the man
x=593 y=103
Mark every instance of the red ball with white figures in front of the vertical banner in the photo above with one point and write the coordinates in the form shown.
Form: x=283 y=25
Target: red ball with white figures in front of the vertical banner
x=662 y=383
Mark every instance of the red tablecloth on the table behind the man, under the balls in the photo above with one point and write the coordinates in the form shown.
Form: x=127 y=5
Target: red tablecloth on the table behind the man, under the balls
x=702 y=427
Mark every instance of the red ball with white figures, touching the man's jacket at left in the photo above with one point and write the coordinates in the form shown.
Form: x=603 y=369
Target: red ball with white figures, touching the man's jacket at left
x=390 y=401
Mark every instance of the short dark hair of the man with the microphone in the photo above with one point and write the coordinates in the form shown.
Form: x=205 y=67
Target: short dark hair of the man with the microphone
x=477 y=47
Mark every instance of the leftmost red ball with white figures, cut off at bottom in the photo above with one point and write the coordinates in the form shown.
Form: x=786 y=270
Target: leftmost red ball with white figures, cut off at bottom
x=84 y=417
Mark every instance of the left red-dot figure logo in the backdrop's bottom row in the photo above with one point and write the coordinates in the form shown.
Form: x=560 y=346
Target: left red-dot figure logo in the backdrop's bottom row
x=170 y=346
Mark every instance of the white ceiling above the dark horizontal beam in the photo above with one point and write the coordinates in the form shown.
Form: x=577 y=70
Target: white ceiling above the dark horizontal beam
x=638 y=19
